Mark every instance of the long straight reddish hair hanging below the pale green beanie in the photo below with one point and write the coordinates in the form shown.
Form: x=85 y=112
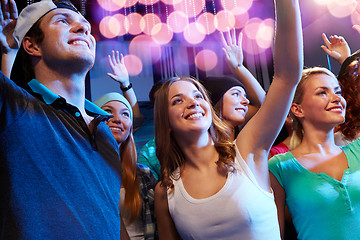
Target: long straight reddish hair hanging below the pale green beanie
x=130 y=181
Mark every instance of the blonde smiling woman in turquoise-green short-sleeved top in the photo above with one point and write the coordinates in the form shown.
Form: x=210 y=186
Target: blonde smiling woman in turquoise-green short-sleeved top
x=317 y=180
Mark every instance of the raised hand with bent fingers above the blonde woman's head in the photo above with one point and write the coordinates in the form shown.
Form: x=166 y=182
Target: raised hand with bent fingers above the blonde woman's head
x=336 y=47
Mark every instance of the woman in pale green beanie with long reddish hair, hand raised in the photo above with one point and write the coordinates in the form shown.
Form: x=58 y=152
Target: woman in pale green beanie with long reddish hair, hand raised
x=138 y=183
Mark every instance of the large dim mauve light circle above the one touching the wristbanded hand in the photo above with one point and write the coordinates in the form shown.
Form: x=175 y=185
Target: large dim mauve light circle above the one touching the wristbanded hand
x=145 y=48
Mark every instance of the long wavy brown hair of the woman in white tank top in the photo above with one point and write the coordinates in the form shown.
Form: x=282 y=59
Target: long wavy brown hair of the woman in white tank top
x=168 y=151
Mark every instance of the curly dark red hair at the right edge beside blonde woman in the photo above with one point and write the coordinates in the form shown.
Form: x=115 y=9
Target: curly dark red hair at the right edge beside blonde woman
x=350 y=87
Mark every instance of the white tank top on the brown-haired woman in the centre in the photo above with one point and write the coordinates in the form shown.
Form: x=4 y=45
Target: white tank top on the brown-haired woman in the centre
x=240 y=210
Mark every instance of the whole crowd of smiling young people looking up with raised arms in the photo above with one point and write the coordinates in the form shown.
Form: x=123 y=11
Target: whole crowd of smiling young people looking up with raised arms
x=69 y=168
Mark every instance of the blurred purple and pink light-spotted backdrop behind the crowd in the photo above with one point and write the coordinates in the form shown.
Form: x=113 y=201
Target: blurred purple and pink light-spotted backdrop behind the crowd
x=163 y=38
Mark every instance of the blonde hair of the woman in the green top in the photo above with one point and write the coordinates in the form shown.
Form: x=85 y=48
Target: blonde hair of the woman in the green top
x=298 y=131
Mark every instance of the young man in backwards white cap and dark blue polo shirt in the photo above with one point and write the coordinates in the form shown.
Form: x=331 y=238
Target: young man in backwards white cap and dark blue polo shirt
x=59 y=163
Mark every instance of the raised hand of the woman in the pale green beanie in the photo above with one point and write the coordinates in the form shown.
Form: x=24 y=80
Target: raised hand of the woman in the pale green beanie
x=120 y=73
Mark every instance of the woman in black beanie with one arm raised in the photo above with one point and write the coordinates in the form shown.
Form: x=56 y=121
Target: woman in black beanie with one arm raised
x=234 y=100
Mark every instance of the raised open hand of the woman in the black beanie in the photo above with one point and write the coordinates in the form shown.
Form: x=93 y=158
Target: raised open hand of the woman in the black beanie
x=232 y=49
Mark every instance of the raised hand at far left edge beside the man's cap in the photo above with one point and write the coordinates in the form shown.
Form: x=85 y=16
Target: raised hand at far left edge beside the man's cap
x=8 y=17
